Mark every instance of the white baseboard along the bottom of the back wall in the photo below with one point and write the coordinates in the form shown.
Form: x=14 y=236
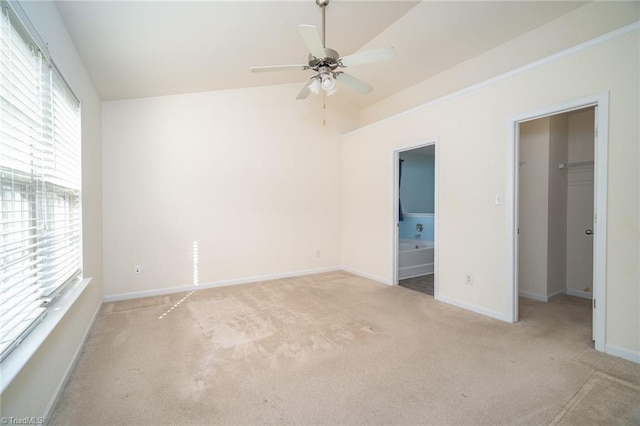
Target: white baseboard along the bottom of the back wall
x=214 y=284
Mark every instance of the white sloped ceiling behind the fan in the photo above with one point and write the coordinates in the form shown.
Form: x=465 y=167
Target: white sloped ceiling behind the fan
x=146 y=48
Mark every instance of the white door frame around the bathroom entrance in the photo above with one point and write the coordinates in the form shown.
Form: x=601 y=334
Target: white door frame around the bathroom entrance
x=396 y=223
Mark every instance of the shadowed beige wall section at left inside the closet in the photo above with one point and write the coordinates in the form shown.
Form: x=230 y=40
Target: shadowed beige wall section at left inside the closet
x=542 y=210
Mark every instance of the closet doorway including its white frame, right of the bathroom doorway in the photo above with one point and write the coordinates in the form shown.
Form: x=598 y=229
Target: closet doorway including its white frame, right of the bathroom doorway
x=557 y=206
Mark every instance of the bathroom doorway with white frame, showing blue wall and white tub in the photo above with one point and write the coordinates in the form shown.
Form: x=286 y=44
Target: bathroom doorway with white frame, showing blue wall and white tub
x=415 y=222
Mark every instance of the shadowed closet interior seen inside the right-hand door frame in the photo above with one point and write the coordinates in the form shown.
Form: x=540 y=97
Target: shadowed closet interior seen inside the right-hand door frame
x=556 y=209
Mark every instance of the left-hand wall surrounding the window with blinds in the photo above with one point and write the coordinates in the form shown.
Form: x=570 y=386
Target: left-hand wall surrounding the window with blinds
x=33 y=390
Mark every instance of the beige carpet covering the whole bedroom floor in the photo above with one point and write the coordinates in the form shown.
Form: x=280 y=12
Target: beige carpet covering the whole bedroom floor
x=338 y=349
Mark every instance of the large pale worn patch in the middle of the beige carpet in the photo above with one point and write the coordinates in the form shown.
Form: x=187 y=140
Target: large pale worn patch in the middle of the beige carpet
x=253 y=329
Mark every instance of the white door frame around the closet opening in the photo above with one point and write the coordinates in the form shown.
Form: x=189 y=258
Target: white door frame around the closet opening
x=601 y=140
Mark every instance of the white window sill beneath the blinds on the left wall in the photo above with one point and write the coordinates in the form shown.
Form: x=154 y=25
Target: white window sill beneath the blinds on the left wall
x=20 y=356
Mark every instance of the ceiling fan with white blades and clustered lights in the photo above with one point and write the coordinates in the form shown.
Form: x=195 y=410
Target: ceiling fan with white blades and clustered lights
x=325 y=62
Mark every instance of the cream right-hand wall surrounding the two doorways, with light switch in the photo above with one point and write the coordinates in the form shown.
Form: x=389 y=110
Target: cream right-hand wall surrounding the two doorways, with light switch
x=472 y=131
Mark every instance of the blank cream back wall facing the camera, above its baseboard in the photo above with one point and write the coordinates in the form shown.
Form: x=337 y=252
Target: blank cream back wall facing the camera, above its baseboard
x=252 y=175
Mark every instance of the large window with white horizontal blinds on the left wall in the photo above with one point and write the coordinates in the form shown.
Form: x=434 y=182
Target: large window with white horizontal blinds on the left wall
x=40 y=183
